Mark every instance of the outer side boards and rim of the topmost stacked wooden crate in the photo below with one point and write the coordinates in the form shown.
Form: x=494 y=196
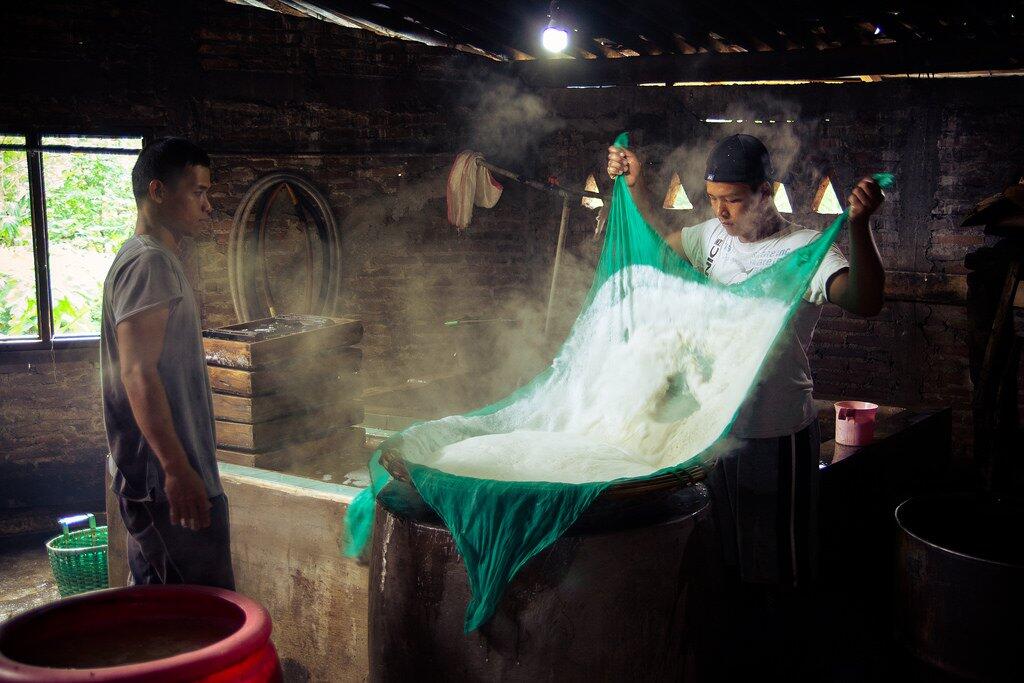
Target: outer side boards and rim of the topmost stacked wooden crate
x=258 y=355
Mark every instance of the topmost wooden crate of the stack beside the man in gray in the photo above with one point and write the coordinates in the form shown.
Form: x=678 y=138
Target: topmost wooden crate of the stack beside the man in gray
x=257 y=345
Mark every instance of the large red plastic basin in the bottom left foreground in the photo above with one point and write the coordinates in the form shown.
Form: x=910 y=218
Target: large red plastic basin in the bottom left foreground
x=151 y=633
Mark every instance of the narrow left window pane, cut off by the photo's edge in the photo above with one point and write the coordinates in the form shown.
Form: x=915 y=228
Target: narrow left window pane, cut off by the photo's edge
x=19 y=318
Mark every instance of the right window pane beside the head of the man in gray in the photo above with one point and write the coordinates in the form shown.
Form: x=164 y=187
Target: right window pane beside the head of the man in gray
x=91 y=211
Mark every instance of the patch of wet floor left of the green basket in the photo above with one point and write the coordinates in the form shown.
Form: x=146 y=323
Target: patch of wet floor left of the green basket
x=26 y=580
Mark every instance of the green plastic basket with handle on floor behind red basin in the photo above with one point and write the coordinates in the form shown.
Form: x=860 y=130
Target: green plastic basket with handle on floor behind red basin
x=79 y=559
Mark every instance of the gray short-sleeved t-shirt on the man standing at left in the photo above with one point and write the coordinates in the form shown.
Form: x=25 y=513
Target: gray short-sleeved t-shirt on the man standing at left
x=145 y=275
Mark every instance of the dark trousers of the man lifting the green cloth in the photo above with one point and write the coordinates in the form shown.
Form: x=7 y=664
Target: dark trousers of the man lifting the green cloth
x=764 y=493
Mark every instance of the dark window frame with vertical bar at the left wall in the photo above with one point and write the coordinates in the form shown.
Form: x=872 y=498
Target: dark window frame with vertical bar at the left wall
x=34 y=150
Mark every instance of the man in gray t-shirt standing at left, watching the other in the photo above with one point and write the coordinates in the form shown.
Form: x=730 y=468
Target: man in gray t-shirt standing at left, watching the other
x=157 y=404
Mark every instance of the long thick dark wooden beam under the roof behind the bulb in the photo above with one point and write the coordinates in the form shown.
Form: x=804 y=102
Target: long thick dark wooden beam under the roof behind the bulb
x=791 y=65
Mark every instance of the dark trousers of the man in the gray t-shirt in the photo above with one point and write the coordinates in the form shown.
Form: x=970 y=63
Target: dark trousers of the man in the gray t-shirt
x=160 y=552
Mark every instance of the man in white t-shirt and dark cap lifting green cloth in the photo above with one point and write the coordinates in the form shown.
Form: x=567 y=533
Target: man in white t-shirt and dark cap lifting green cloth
x=765 y=484
